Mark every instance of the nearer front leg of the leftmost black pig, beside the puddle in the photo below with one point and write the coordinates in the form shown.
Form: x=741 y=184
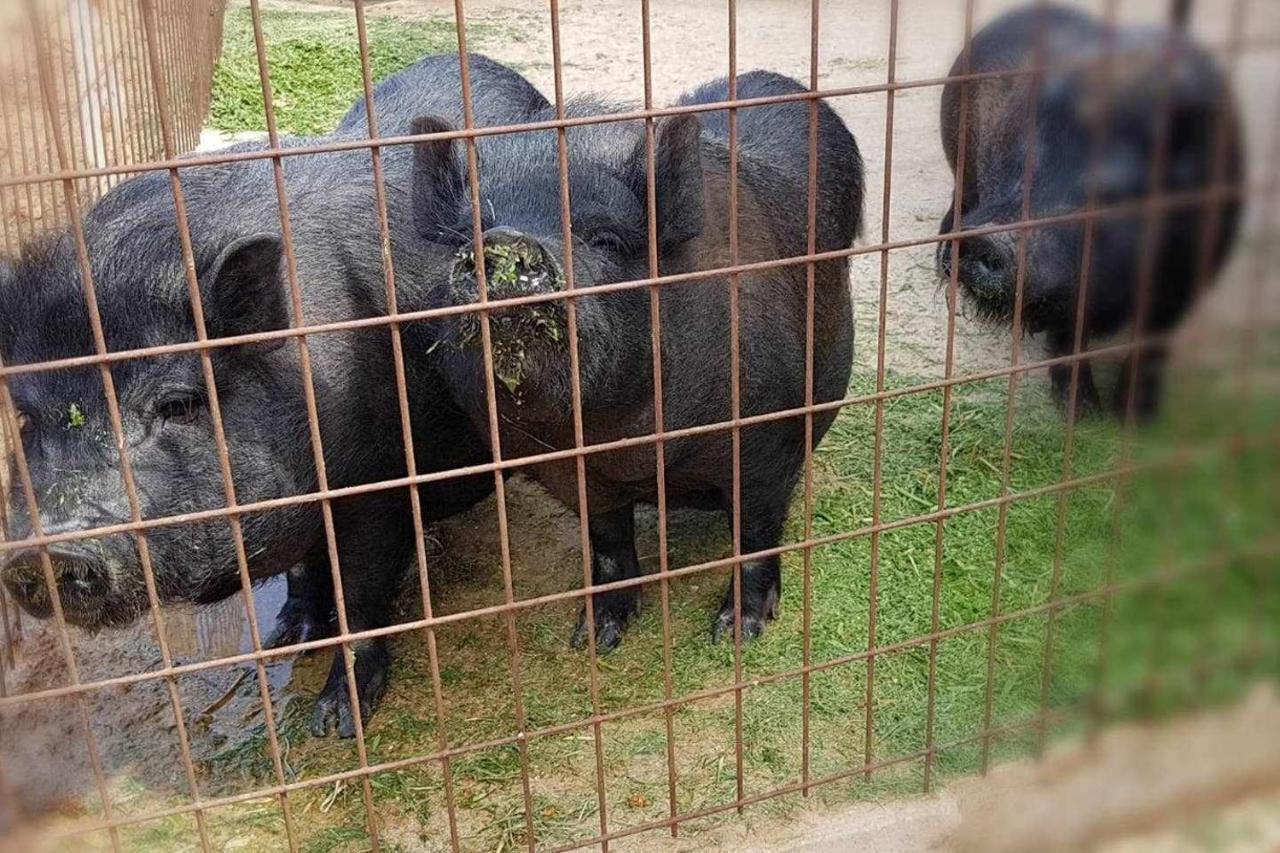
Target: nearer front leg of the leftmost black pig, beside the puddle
x=376 y=542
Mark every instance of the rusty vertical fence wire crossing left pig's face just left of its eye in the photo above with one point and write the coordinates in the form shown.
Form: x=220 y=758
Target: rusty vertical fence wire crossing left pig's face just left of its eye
x=71 y=199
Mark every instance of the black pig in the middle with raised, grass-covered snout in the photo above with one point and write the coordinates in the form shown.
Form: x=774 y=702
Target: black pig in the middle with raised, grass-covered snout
x=525 y=254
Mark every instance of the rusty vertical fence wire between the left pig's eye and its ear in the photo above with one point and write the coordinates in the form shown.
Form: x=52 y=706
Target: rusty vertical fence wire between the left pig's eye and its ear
x=216 y=413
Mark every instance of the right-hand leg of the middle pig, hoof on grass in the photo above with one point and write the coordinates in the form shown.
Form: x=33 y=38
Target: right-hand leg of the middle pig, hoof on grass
x=765 y=512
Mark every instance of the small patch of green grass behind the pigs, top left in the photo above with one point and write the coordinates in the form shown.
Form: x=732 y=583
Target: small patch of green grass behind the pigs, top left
x=314 y=60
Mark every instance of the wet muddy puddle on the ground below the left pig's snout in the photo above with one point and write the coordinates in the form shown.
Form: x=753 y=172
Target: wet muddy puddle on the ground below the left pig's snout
x=43 y=745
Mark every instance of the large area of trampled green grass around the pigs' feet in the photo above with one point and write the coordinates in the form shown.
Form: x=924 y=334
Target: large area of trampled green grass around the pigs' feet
x=1171 y=645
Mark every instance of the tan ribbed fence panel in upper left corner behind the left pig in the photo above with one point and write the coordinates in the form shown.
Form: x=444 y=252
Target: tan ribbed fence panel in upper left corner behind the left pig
x=80 y=92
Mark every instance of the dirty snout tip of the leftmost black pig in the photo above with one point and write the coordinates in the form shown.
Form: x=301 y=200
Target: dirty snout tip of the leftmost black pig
x=81 y=572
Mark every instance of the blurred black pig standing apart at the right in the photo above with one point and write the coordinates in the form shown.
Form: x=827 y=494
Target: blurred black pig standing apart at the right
x=1075 y=156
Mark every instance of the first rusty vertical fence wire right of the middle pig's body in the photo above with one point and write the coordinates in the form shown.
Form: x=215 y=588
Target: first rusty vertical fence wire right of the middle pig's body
x=883 y=330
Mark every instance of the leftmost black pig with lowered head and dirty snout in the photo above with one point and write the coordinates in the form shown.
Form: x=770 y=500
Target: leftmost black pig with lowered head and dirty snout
x=138 y=268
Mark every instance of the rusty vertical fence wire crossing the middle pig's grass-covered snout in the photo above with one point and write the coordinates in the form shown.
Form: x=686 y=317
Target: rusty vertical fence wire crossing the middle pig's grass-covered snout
x=495 y=434
